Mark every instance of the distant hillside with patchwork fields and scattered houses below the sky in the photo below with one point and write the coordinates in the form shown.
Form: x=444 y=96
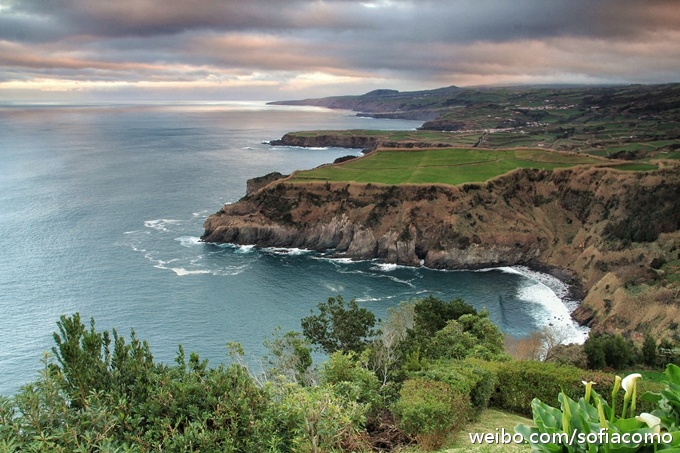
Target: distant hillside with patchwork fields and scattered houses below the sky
x=634 y=122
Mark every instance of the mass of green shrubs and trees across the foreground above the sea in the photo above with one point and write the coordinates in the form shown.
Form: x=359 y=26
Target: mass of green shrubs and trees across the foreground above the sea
x=431 y=368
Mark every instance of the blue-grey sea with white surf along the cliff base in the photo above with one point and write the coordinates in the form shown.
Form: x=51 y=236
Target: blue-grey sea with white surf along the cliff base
x=101 y=208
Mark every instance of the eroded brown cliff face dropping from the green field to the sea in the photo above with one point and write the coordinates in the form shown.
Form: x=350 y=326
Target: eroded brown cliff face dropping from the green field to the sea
x=603 y=226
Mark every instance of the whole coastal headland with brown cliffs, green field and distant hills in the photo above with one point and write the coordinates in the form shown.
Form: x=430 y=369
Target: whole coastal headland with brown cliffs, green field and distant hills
x=581 y=181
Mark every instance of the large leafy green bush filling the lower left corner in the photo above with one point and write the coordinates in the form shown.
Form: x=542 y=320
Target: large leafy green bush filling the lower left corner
x=95 y=399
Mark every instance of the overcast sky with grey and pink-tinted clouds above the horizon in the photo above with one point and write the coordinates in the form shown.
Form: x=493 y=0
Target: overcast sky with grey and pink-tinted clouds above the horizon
x=290 y=49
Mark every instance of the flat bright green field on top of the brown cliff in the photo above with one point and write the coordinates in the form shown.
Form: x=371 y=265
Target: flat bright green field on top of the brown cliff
x=441 y=166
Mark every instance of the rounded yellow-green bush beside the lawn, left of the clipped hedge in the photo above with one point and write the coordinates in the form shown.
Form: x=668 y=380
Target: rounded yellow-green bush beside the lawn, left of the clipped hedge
x=429 y=410
